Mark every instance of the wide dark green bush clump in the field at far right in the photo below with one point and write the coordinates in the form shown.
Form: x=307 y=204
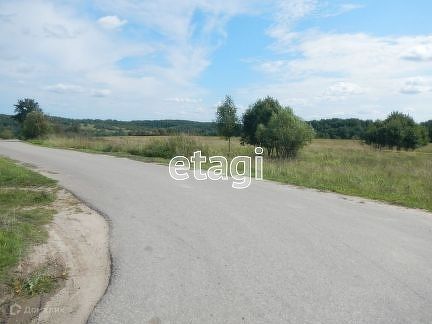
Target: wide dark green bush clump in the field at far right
x=396 y=131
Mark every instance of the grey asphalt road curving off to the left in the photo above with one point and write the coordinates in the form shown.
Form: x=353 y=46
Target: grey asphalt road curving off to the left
x=202 y=252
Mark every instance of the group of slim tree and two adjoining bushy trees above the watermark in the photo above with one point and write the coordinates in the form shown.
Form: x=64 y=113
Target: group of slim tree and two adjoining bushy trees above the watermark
x=266 y=123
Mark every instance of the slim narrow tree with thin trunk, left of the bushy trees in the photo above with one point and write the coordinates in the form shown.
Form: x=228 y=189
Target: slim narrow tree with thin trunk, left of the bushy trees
x=227 y=120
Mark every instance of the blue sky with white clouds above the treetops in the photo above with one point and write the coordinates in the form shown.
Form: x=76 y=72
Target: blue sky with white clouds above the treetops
x=139 y=59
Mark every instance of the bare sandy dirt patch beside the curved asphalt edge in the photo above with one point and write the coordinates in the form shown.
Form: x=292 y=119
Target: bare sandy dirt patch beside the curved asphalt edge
x=78 y=243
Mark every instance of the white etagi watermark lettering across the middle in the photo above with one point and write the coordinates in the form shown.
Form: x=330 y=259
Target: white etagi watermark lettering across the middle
x=239 y=169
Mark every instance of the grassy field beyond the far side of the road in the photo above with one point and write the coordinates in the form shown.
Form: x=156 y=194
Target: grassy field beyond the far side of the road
x=343 y=166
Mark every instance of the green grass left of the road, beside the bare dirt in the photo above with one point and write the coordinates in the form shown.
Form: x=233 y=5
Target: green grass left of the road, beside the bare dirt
x=25 y=199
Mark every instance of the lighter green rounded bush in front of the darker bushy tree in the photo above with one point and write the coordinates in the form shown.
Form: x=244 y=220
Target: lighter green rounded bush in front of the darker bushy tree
x=285 y=134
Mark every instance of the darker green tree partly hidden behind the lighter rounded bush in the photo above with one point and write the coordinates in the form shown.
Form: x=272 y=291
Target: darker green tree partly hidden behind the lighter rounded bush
x=259 y=113
